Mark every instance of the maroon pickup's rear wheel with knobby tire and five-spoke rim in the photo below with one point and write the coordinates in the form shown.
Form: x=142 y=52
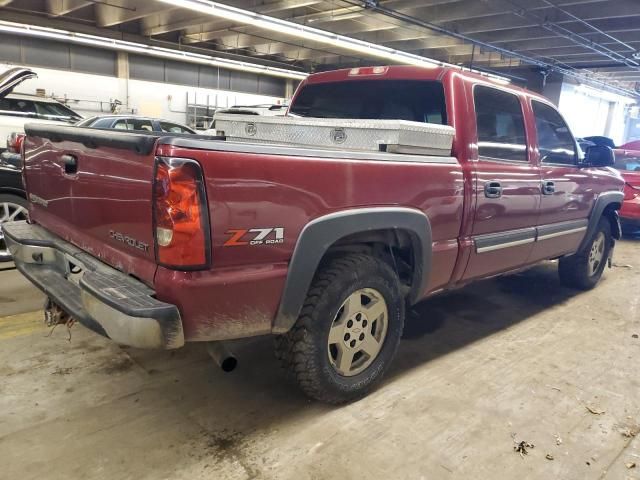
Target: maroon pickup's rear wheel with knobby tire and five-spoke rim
x=348 y=330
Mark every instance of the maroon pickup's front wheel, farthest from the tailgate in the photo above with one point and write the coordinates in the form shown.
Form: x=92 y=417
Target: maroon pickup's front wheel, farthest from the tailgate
x=584 y=269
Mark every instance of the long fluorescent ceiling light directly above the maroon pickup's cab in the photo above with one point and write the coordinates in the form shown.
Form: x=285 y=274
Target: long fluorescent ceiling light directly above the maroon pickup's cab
x=302 y=31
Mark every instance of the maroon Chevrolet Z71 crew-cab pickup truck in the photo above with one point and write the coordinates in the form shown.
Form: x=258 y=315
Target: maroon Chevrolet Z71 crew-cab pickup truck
x=155 y=240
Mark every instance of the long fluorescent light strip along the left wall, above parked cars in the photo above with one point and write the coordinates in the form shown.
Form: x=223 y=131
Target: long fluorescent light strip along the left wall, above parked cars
x=133 y=47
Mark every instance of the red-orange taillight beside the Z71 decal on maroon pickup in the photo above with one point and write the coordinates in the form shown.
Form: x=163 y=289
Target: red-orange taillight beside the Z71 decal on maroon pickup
x=181 y=218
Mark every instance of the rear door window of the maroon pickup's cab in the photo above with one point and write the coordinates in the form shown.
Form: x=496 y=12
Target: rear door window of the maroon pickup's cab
x=500 y=124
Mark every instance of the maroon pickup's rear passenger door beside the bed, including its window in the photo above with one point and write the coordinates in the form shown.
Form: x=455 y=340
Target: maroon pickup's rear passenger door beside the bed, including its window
x=507 y=185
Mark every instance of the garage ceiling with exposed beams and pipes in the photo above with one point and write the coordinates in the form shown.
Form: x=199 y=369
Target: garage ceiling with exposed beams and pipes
x=593 y=40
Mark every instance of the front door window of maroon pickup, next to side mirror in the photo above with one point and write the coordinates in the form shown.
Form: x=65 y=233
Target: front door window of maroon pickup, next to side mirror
x=554 y=138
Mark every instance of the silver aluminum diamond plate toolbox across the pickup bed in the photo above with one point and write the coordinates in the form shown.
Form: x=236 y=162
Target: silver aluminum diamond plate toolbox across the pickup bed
x=395 y=136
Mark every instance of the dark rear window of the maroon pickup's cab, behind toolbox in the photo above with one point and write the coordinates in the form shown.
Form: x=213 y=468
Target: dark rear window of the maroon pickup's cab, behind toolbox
x=419 y=101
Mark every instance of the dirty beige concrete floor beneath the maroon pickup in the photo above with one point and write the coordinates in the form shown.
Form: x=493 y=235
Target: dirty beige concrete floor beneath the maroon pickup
x=512 y=359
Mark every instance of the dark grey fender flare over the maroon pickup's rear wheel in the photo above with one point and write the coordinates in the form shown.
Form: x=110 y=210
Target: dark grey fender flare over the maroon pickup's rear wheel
x=321 y=233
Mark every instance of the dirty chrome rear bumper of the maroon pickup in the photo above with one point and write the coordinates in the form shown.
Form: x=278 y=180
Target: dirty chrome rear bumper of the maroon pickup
x=100 y=297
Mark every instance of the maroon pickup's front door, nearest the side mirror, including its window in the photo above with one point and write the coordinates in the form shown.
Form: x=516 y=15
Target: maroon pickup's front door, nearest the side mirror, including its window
x=568 y=192
